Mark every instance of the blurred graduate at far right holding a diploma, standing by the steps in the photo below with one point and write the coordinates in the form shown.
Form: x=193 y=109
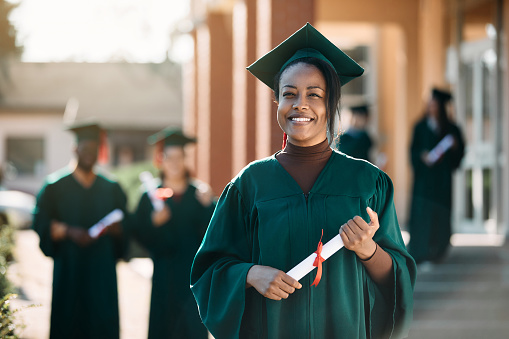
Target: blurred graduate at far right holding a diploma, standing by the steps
x=430 y=210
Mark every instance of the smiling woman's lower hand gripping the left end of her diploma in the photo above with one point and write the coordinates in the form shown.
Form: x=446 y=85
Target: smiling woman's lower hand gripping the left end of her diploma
x=271 y=283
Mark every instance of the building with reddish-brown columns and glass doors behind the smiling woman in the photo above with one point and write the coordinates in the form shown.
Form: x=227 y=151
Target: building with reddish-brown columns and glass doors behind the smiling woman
x=406 y=47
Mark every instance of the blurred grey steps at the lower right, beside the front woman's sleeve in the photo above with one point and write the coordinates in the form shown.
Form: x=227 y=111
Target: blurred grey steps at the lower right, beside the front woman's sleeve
x=466 y=296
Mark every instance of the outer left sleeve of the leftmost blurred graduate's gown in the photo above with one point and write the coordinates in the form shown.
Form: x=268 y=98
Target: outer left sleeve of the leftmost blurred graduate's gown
x=43 y=213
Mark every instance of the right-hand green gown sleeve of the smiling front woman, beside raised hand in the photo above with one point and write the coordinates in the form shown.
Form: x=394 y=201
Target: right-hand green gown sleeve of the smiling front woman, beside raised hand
x=392 y=312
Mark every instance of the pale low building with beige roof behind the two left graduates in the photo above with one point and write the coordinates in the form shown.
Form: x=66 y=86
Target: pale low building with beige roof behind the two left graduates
x=37 y=99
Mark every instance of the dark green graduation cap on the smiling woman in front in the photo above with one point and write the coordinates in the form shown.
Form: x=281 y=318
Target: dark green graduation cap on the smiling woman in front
x=306 y=42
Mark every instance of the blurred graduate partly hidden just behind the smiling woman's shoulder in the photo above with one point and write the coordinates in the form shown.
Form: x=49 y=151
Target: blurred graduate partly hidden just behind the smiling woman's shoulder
x=355 y=141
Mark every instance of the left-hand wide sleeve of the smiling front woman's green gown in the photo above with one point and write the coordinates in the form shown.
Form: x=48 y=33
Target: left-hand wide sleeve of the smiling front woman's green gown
x=220 y=267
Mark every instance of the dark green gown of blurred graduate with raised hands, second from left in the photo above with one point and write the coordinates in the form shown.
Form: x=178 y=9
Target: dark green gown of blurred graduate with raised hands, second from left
x=173 y=312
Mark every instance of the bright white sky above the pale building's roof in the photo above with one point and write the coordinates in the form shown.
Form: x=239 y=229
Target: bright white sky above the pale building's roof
x=95 y=30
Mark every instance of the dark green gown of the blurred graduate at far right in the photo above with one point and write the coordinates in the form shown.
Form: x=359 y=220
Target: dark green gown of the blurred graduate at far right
x=430 y=211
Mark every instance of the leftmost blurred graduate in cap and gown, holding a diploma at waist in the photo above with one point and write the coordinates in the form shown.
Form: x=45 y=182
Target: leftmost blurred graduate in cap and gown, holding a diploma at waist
x=72 y=200
